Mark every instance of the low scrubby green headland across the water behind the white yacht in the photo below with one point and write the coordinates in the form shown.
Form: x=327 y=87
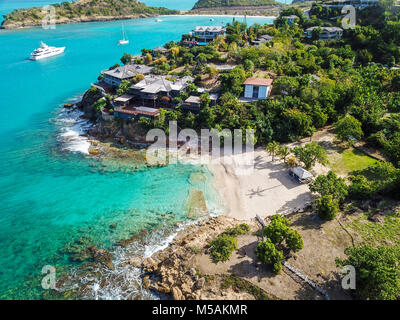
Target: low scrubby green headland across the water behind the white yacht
x=84 y=9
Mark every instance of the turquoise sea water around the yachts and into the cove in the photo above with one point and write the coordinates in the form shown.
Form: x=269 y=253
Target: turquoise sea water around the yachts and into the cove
x=49 y=197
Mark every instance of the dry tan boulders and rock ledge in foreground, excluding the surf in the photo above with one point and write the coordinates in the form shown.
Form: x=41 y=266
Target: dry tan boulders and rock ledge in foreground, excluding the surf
x=172 y=272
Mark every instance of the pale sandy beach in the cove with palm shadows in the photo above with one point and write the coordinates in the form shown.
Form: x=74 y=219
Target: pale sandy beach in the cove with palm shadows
x=265 y=191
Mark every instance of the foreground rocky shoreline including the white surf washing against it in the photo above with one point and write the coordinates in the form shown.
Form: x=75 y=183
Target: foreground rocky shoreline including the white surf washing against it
x=170 y=273
